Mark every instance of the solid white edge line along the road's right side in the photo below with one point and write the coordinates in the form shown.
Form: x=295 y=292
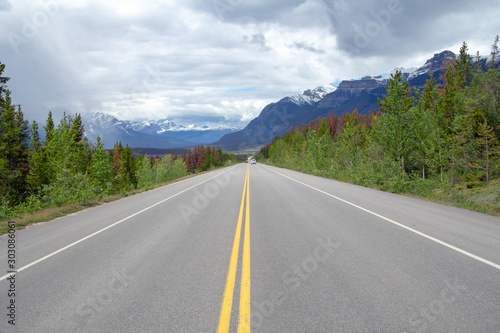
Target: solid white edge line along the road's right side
x=487 y=262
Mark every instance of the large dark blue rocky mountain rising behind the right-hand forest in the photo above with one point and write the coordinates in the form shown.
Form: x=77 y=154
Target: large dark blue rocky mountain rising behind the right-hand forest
x=362 y=94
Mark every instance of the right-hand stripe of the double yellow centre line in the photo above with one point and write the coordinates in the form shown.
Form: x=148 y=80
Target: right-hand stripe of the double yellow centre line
x=244 y=321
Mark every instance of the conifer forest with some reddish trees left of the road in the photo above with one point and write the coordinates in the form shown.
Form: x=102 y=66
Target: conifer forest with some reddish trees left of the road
x=66 y=169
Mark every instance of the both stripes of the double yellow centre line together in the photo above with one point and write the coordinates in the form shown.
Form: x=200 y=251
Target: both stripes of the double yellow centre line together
x=227 y=303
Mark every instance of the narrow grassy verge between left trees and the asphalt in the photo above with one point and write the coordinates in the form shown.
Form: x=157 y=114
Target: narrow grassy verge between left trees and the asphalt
x=24 y=220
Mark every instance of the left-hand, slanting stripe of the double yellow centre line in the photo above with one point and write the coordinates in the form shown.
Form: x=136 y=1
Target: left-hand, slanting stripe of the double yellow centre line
x=227 y=303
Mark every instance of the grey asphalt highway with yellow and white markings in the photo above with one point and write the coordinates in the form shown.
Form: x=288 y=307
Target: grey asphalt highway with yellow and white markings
x=311 y=255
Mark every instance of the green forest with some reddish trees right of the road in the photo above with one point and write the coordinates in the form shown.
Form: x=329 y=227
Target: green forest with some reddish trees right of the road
x=443 y=136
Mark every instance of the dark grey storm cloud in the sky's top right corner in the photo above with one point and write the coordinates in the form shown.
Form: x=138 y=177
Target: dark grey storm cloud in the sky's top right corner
x=378 y=28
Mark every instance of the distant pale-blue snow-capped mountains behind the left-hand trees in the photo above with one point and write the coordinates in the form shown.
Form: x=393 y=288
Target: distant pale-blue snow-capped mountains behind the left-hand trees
x=161 y=133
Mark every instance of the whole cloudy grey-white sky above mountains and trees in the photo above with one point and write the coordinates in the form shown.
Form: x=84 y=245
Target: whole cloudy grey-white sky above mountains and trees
x=217 y=60
